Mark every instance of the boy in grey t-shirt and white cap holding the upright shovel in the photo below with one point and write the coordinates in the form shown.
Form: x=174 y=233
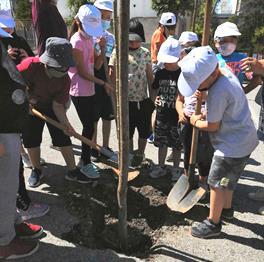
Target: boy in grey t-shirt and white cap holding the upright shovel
x=232 y=131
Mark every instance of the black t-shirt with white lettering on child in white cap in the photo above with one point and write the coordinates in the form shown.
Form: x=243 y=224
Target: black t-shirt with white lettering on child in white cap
x=166 y=83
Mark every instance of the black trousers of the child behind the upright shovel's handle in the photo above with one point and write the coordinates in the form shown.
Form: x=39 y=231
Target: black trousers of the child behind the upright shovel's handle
x=205 y=150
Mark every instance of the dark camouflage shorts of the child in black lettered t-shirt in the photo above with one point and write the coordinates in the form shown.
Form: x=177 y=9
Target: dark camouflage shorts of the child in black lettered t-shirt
x=166 y=128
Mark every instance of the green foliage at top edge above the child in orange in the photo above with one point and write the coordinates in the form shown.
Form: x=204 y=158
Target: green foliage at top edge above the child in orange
x=175 y=6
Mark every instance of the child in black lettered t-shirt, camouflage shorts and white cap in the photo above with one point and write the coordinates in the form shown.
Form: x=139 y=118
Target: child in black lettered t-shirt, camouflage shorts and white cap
x=166 y=126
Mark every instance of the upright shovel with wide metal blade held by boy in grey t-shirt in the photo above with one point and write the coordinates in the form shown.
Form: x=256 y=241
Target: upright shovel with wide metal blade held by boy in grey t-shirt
x=186 y=193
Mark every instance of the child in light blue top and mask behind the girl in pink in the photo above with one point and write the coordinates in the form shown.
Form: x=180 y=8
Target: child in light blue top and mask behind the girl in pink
x=103 y=103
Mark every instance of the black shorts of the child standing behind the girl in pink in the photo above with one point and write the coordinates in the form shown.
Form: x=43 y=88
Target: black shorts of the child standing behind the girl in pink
x=103 y=105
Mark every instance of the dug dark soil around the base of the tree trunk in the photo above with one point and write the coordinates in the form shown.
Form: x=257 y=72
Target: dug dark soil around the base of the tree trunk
x=148 y=216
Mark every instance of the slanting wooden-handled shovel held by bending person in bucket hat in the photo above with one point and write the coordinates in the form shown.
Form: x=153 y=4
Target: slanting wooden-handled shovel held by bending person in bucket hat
x=132 y=174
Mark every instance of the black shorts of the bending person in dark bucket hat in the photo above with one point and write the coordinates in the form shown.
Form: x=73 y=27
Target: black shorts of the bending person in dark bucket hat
x=32 y=133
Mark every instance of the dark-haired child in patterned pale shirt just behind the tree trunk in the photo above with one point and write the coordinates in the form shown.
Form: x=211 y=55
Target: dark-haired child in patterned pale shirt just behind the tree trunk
x=140 y=76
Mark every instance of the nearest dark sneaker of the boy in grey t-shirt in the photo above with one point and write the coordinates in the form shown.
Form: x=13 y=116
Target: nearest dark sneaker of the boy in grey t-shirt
x=206 y=229
